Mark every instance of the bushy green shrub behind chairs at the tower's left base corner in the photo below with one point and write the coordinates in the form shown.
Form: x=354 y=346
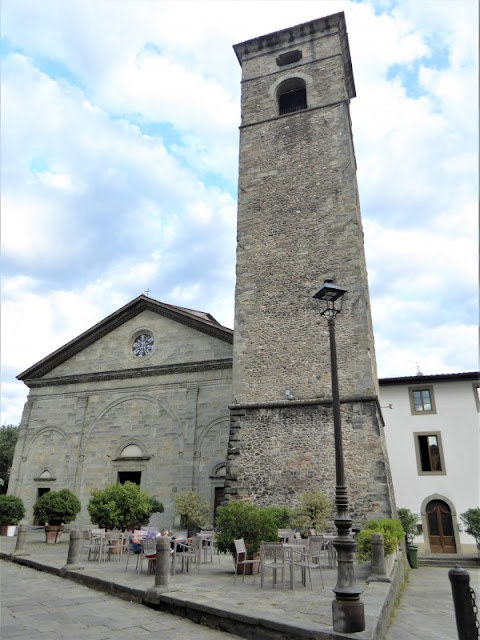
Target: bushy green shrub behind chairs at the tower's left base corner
x=248 y=521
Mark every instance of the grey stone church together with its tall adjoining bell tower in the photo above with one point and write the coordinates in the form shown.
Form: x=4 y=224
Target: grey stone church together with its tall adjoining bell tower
x=167 y=397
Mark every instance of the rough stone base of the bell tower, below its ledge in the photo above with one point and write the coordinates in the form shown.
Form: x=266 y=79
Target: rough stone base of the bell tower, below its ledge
x=281 y=452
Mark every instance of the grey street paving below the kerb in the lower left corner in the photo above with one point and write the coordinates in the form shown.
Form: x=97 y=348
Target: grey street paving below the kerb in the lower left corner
x=39 y=605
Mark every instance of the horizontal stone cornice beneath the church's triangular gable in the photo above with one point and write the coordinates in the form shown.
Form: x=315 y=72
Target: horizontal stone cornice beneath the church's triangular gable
x=125 y=374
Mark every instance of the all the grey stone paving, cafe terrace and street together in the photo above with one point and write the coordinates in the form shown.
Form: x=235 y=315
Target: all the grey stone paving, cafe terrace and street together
x=425 y=611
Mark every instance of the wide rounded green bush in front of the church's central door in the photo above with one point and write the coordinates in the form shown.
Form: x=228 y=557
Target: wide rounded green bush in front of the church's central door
x=120 y=506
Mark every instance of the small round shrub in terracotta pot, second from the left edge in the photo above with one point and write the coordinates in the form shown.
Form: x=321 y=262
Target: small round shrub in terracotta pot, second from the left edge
x=56 y=508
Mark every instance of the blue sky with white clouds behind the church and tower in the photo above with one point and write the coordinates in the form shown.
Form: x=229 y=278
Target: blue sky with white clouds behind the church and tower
x=119 y=167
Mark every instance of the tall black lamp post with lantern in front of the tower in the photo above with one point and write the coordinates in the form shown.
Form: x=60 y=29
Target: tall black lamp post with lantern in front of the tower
x=347 y=609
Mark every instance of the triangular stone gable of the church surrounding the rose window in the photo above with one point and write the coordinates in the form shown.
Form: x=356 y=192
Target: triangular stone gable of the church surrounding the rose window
x=179 y=335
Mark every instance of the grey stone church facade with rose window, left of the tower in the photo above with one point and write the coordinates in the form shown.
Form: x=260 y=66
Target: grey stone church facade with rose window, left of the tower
x=141 y=396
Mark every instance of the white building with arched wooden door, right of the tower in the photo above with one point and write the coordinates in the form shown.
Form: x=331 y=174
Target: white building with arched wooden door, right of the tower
x=432 y=435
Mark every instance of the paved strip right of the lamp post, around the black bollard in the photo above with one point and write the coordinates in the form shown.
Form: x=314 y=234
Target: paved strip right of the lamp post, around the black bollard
x=426 y=607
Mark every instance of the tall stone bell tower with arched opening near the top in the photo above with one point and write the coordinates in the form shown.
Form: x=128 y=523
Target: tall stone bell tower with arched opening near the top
x=298 y=223
